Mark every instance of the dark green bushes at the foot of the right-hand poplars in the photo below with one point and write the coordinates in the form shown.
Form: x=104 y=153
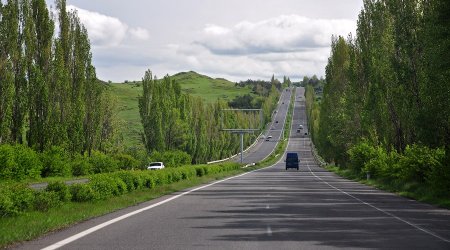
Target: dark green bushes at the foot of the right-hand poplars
x=417 y=164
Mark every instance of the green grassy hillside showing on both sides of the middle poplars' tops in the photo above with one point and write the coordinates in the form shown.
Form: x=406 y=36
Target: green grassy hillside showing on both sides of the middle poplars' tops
x=127 y=94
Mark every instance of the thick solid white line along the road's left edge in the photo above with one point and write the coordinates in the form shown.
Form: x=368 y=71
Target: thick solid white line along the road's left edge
x=107 y=223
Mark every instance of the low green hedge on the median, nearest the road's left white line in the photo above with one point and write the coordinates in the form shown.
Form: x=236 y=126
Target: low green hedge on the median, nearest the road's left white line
x=15 y=199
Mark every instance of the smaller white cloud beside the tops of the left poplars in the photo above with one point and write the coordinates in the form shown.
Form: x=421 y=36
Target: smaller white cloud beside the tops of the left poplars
x=107 y=31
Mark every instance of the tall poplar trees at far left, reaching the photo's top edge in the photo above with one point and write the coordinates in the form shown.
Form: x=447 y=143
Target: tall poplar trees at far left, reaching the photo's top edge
x=49 y=92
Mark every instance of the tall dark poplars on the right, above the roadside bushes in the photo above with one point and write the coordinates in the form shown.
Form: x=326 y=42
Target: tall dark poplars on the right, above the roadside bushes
x=389 y=85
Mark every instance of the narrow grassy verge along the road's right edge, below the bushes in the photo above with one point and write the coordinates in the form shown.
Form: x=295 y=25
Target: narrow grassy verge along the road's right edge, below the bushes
x=409 y=190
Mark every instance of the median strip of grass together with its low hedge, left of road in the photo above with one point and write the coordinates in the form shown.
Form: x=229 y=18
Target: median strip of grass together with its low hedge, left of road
x=59 y=205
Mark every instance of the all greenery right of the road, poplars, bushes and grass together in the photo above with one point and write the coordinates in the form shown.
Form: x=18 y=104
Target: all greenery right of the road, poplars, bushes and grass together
x=384 y=111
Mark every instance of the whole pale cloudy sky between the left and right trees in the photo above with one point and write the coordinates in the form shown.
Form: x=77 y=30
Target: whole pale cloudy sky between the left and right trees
x=233 y=39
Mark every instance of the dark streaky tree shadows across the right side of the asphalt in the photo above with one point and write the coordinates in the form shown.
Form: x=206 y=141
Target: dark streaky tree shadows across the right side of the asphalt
x=304 y=209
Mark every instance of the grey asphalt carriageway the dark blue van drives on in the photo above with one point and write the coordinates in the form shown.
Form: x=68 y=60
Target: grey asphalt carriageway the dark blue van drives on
x=267 y=209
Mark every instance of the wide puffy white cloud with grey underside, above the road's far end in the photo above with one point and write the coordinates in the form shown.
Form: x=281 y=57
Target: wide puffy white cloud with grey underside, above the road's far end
x=286 y=33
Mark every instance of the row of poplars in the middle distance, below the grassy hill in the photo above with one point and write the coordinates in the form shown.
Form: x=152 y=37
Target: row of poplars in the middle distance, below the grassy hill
x=173 y=120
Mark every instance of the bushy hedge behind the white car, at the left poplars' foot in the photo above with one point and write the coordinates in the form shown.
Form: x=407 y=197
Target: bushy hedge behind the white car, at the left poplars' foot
x=18 y=162
